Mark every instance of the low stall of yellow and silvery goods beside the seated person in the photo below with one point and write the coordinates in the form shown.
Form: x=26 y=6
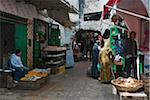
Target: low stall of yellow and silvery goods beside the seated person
x=34 y=79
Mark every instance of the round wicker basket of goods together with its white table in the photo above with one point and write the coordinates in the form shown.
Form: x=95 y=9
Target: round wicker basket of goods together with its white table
x=126 y=87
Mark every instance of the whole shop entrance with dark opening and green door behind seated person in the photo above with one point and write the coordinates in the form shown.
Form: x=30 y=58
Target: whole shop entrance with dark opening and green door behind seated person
x=13 y=36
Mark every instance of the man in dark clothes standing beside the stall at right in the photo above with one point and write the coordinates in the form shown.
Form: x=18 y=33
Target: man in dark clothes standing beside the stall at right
x=130 y=53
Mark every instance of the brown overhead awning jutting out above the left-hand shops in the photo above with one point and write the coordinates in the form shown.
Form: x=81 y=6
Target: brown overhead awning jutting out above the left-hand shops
x=57 y=9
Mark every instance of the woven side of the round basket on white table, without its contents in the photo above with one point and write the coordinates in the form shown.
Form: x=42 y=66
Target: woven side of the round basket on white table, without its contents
x=127 y=89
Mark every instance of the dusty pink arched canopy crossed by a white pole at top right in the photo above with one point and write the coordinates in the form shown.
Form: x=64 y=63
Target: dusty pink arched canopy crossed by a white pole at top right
x=135 y=6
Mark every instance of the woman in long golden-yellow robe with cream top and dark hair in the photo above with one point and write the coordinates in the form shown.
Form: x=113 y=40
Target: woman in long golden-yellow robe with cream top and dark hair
x=106 y=58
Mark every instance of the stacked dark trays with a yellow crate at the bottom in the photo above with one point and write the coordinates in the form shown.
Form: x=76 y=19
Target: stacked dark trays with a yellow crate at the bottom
x=55 y=58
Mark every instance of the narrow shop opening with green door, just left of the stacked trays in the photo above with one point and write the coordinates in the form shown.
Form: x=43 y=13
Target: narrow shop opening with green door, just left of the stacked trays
x=40 y=40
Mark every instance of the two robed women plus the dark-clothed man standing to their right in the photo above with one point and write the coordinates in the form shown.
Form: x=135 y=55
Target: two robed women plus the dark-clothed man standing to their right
x=103 y=55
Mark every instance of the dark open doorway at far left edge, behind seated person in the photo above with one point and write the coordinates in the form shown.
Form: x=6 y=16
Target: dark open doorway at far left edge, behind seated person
x=7 y=31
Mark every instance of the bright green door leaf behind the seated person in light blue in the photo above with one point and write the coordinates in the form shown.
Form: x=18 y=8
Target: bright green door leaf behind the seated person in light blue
x=21 y=40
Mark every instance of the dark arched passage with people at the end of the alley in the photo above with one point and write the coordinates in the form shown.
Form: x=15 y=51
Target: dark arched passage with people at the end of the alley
x=83 y=42
